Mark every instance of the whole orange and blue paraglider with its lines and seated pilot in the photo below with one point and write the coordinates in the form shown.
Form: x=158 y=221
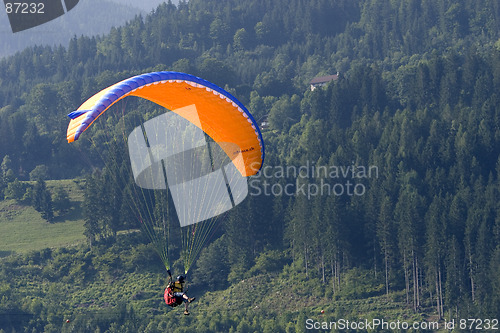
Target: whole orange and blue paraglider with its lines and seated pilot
x=197 y=154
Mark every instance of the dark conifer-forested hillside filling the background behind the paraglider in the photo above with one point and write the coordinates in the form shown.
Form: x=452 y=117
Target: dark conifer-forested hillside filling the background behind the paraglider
x=391 y=172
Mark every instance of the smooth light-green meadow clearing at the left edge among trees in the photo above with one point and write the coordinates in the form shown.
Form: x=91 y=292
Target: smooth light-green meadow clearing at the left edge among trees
x=22 y=229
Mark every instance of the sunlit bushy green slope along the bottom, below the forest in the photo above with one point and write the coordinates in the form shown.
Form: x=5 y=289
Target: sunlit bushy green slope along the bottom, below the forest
x=277 y=297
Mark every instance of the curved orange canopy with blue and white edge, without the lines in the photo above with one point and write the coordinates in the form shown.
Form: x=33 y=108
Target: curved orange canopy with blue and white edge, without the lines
x=220 y=115
